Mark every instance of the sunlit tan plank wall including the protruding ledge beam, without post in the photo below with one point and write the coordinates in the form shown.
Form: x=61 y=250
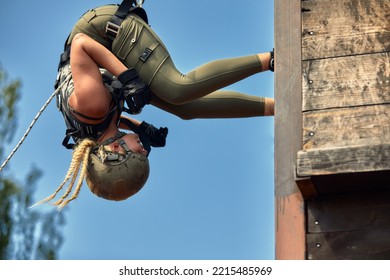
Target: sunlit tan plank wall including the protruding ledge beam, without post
x=345 y=86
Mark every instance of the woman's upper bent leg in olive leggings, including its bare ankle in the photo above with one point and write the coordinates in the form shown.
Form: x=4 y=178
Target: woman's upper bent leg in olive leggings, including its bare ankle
x=159 y=72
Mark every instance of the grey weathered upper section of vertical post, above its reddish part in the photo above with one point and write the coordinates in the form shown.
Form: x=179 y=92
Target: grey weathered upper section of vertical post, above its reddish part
x=288 y=94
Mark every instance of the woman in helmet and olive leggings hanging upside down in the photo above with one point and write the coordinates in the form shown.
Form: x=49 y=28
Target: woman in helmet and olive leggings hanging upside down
x=109 y=72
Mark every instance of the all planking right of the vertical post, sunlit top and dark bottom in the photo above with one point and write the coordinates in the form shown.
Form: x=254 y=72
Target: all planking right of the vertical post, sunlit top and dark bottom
x=343 y=168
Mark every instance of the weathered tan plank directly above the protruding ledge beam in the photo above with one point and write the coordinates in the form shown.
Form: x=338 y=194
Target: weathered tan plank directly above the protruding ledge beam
x=345 y=127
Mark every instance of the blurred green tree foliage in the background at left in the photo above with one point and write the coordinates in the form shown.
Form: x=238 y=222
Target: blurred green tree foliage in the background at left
x=24 y=233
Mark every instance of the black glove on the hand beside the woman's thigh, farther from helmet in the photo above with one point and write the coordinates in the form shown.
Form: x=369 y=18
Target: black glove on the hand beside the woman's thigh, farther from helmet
x=134 y=91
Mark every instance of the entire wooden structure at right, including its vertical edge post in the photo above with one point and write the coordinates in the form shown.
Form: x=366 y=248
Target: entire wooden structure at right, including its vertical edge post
x=332 y=130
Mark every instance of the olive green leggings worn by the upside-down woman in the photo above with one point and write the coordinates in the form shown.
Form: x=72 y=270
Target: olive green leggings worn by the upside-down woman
x=196 y=94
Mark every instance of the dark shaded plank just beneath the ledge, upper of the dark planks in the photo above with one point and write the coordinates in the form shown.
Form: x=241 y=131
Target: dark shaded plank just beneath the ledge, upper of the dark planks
x=346 y=212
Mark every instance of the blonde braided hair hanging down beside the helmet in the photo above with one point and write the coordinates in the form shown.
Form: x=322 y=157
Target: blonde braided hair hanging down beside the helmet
x=77 y=168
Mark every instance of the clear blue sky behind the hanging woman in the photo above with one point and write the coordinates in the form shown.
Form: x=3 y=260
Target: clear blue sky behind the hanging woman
x=210 y=194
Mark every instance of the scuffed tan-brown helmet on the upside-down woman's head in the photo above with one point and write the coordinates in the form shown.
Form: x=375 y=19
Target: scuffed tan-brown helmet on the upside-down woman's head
x=118 y=176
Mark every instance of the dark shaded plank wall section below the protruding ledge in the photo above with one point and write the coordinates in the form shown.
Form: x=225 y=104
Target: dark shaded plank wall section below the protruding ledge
x=349 y=226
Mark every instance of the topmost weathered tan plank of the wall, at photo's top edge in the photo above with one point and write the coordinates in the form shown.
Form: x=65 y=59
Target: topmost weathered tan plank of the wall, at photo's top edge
x=344 y=27
